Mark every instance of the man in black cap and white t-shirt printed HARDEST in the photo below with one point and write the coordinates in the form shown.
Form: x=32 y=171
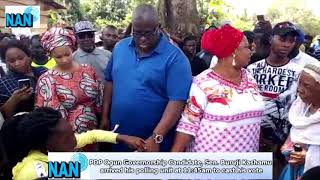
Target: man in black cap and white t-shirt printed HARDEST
x=277 y=79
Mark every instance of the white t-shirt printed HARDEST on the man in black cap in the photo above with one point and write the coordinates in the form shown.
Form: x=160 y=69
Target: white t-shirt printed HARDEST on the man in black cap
x=278 y=86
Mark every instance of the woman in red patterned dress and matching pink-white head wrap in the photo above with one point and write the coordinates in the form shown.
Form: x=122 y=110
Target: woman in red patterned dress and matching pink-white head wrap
x=69 y=87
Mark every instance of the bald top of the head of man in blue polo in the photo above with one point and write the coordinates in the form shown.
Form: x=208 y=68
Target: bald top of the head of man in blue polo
x=145 y=12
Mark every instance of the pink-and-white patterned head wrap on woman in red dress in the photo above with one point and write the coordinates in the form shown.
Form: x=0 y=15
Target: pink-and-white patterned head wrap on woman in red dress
x=56 y=37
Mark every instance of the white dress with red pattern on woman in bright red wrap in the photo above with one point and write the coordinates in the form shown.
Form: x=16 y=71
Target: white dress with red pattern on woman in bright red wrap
x=222 y=116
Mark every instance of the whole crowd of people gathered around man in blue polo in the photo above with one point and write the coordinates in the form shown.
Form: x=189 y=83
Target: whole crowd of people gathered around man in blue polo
x=226 y=91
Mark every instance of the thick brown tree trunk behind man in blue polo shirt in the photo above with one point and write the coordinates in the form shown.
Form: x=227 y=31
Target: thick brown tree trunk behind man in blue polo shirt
x=179 y=16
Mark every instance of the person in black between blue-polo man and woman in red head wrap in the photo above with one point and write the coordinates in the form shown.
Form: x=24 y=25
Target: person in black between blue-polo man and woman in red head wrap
x=189 y=48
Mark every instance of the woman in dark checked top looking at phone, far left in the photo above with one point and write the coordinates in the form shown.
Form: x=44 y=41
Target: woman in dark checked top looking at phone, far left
x=17 y=87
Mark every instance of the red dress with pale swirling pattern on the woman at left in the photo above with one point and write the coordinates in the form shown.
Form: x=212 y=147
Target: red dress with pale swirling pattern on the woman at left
x=78 y=96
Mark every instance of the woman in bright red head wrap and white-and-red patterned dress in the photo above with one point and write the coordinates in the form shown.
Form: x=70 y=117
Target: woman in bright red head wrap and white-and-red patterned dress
x=224 y=109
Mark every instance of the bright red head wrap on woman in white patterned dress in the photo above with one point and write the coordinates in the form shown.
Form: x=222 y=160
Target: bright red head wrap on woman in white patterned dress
x=221 y=42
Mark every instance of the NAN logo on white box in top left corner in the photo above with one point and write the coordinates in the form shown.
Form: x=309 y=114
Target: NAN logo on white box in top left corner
x=22 y=16
